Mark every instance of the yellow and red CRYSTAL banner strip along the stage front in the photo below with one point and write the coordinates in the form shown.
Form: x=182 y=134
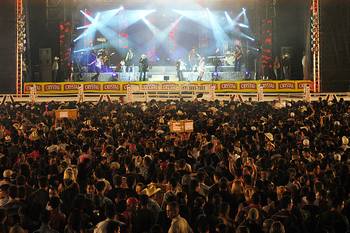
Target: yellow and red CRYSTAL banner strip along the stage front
x=122 y=87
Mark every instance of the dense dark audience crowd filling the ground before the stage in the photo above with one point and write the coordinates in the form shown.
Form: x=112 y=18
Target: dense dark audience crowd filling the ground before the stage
x=248 y=167
